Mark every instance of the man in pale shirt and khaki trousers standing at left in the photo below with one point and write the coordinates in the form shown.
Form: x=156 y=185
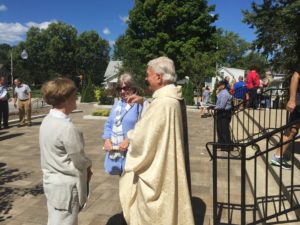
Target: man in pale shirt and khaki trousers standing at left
x=23 y=94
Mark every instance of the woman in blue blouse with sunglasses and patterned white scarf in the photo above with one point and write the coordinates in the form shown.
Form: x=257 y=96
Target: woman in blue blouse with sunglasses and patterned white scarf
x=122 y=118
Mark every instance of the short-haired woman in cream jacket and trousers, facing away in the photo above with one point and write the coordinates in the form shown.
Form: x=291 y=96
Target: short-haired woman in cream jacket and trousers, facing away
x=66 y=169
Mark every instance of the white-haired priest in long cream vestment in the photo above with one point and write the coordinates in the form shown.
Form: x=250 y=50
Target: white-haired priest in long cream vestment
x=154 y=188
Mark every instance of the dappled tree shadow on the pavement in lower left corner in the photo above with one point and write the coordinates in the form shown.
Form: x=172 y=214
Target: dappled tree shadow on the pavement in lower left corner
x=9 y=194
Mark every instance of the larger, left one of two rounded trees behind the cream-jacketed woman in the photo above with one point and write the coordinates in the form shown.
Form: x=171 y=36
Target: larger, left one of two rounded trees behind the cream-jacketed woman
x=51 y=52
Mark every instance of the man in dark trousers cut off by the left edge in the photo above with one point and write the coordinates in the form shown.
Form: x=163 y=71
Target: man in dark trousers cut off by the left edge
x=3 y=103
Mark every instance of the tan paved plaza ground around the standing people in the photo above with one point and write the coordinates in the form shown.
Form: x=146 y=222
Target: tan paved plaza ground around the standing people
x=22 y=201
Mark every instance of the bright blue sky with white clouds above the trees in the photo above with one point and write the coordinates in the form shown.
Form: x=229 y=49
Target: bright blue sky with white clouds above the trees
x=107 y=17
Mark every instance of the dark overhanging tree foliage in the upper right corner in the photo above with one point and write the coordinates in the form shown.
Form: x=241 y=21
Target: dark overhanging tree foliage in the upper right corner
x=278 y=31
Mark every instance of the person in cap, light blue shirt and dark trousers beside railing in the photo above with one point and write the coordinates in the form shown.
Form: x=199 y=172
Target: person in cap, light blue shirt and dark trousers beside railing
x=223 y=114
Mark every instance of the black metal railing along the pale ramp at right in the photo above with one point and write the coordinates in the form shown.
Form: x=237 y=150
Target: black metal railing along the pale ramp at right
x=246 y=188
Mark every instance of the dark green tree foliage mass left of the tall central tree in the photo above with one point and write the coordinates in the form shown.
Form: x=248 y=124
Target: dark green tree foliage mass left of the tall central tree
x=59 y=50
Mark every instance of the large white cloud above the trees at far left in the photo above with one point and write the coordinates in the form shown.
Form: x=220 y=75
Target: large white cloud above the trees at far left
x=12 y=33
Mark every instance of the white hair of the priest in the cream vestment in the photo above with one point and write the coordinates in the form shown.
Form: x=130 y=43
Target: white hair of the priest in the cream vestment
x=165 y=66
